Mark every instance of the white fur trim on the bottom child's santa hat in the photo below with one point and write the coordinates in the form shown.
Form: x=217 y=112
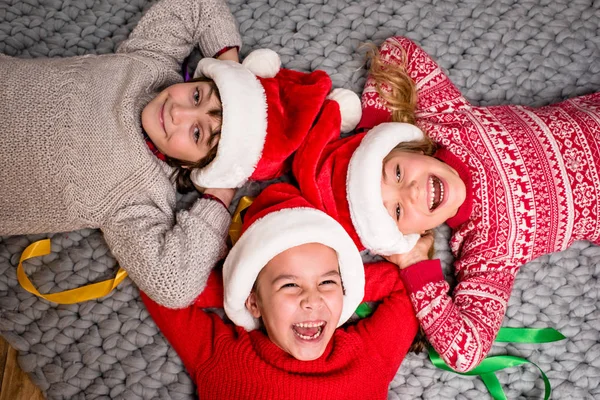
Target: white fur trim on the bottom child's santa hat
x=279 y=231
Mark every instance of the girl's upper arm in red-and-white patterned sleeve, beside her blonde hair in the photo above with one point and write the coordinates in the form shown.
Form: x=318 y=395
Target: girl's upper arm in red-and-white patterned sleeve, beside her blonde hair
x=436 y=93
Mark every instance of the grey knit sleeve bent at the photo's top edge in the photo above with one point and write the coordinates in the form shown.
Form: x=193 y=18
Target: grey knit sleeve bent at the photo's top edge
x=171 y=28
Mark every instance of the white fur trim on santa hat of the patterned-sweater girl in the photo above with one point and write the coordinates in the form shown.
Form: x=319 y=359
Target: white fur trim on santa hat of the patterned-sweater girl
x=376 y=229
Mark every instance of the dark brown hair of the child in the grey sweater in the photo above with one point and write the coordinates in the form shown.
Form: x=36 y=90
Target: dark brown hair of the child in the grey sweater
x=183 y=169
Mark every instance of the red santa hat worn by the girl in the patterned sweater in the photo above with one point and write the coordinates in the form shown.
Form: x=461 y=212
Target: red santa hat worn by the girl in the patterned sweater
x=343 y=178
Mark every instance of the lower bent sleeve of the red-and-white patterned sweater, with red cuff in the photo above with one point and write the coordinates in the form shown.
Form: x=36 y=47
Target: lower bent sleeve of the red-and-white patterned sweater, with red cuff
x=461 y=327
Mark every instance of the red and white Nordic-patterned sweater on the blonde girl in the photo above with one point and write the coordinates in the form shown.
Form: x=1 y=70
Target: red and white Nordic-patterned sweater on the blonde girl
x=533 y=183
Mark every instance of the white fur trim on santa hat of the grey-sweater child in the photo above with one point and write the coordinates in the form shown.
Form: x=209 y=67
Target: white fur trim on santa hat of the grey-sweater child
x=244 y=127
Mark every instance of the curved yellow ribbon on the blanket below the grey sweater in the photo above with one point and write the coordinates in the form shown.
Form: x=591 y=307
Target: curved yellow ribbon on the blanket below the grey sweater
x=84 y=293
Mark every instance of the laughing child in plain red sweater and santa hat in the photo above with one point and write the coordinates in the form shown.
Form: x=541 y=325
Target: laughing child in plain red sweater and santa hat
x=288 y=290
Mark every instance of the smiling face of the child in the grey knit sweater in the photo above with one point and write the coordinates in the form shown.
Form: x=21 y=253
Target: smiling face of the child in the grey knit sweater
x=184 y=120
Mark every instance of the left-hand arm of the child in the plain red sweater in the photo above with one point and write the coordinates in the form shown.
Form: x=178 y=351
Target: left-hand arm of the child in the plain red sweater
x=189 y=330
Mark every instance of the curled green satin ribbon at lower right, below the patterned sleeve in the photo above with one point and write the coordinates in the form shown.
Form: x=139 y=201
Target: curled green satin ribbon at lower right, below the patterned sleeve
x=487 y=368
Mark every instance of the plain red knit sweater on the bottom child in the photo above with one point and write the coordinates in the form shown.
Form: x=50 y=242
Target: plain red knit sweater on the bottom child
x=226 y=362
